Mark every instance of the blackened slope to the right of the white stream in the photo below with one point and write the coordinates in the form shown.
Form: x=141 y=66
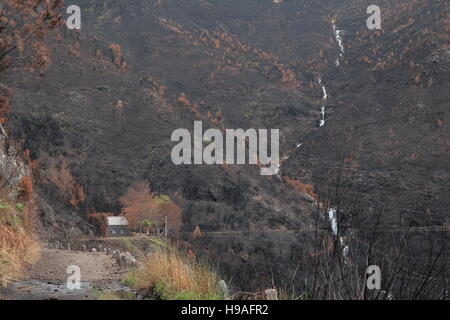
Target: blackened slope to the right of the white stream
x=390 y=100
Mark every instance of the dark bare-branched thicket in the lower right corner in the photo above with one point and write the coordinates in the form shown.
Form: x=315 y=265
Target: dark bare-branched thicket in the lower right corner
x=347 y=238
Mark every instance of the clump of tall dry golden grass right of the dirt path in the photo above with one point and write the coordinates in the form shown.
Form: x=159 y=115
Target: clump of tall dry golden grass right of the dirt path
x=175 y=276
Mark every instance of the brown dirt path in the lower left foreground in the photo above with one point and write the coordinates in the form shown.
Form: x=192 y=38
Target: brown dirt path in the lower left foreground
x=47 y=279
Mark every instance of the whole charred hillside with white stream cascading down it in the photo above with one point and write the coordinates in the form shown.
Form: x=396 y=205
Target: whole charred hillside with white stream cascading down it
x=103 y=113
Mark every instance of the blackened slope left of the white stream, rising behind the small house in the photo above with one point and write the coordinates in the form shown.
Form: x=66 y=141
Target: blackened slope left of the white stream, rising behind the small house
x=113 y=122
